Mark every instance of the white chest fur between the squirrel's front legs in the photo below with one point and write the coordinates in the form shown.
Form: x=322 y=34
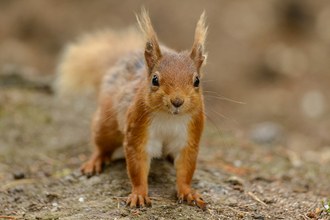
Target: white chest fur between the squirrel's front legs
x=168 y=134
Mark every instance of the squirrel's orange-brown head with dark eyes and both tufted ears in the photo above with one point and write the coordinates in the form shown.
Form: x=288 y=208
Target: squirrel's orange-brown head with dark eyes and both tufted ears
x=174 y=78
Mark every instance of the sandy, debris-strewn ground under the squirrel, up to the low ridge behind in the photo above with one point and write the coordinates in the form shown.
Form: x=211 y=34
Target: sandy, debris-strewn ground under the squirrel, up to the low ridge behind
x=44 y=139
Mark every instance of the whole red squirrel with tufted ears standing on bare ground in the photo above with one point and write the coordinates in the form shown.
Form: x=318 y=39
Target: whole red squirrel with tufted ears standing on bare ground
x=150 y=102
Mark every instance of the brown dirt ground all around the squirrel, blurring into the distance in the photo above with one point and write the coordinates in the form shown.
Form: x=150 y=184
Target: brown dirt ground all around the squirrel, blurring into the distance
x=270 y=160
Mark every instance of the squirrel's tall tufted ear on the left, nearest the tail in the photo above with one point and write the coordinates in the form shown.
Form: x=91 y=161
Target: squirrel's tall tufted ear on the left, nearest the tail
x=152 y=53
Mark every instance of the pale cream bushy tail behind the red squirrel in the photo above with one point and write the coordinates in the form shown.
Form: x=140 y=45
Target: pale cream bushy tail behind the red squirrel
x=85 y=62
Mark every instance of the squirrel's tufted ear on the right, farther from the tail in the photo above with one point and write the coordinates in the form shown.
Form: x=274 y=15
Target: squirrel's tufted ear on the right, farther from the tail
x=197 y=52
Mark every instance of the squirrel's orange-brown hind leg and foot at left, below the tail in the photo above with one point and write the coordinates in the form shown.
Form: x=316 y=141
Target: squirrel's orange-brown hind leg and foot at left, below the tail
x=106 y=139
